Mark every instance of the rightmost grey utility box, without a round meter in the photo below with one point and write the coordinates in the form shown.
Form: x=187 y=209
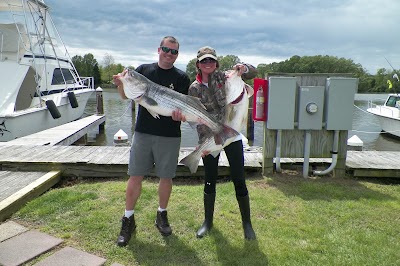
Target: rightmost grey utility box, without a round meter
x=339 y=103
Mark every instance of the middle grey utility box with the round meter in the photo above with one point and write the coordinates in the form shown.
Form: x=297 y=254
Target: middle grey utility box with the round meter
x=311 y=107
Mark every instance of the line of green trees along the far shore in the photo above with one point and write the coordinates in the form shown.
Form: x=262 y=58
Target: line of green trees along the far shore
x=384 y=81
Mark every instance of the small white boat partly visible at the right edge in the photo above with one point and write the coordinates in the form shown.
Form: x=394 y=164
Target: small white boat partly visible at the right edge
x=388 y=114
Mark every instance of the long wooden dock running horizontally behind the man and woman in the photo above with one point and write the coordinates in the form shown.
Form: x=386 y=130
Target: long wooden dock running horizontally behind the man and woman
x=110 y=161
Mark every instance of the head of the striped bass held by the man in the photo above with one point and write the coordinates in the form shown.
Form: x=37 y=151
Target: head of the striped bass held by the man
x=134 y=83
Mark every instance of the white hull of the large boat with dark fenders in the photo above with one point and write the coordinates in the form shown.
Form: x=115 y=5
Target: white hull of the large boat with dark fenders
x=32 y=120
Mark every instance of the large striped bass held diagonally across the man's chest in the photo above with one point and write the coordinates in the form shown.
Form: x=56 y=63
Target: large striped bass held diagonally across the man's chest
x=160 y=100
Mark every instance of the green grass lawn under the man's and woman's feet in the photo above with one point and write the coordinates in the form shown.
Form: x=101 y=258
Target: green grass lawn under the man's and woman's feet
x=323 y=221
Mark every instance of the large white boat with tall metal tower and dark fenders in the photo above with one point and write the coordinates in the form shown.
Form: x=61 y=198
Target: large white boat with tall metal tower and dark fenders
x=39 y=85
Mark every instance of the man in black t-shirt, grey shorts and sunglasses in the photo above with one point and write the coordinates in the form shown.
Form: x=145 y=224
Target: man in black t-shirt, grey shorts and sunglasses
x=156 y=142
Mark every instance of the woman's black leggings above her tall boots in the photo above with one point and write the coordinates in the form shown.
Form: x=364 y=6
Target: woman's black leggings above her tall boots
x=234 y=153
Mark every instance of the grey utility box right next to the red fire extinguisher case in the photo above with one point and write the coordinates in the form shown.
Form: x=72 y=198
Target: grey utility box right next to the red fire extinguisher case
x=281 y=102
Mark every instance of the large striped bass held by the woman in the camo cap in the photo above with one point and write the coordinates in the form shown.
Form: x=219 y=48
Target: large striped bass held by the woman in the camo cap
x=237 y=105
